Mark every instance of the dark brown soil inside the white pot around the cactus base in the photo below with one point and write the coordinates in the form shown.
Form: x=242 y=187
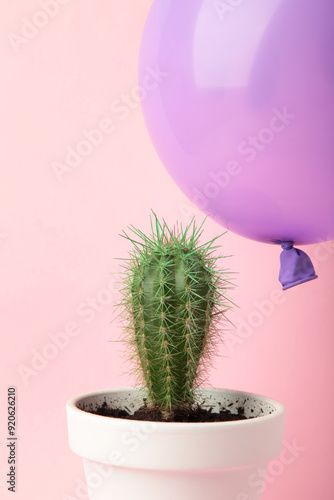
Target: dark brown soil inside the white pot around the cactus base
x=183 y=413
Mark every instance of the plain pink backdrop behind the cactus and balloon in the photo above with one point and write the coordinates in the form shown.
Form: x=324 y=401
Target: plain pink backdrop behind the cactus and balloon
x=59 y=237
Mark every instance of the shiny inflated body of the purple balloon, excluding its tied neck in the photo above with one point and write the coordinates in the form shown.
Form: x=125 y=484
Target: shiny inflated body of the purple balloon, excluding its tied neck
x=240 y=109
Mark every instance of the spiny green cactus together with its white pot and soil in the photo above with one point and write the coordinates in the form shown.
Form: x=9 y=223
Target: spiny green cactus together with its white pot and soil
x=170 y=437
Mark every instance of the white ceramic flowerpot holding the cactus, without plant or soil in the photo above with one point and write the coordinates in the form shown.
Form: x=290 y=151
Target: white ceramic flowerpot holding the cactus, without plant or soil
x=126 y=459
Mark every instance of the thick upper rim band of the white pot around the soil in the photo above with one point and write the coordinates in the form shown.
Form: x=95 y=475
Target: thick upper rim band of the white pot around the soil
x=176 y=445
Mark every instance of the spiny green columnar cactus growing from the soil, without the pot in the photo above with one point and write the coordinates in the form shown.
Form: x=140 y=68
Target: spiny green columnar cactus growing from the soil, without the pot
x=173 y=298
